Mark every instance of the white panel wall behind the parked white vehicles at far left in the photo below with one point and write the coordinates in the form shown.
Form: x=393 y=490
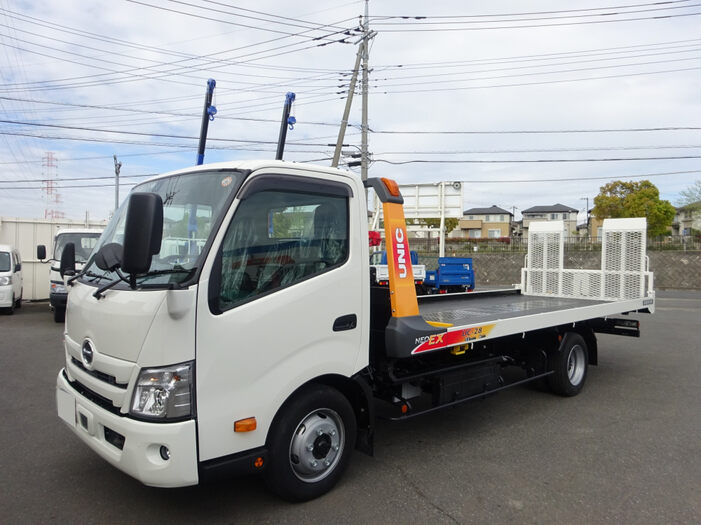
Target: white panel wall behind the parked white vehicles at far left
x=25 y=235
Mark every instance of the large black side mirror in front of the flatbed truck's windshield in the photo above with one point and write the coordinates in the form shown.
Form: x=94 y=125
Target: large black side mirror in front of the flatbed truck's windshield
x=143 y=231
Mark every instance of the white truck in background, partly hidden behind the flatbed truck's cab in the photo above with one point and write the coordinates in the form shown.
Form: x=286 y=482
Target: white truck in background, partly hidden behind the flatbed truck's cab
x=84 y=240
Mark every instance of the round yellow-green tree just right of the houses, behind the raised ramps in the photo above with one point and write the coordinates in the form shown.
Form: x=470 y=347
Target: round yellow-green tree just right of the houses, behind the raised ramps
x=619 y=199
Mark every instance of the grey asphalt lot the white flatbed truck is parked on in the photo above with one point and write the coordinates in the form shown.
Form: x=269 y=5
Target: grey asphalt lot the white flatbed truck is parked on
x=626 y=450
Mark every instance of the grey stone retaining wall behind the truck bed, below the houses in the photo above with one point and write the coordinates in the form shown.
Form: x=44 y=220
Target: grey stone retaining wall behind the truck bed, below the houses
x=672 y=269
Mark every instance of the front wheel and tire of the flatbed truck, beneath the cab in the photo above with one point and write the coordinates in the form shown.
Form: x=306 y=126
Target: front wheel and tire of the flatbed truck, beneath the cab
x=309 y=443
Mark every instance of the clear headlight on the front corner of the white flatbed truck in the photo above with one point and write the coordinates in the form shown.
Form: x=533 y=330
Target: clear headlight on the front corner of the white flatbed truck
x=164 y=393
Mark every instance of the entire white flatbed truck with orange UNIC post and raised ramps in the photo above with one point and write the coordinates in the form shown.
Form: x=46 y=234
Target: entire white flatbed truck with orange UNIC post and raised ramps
x=263 y=347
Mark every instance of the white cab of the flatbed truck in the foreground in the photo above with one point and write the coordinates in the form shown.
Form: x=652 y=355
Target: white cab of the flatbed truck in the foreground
x=182 y=369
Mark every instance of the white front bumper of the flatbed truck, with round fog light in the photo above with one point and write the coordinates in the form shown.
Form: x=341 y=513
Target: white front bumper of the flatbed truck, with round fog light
x=140 y=441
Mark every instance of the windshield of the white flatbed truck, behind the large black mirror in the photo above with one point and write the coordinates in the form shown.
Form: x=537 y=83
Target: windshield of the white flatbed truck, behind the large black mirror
x=192 y=203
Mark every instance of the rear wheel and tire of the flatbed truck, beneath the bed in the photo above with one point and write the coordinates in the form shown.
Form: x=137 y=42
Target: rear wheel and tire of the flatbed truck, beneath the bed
x=569 y=364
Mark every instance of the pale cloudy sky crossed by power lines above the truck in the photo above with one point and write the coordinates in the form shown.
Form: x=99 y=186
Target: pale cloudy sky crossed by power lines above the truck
x=527 y=103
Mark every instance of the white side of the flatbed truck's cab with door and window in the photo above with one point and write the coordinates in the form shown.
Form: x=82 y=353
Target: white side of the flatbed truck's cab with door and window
x=280 y=303
